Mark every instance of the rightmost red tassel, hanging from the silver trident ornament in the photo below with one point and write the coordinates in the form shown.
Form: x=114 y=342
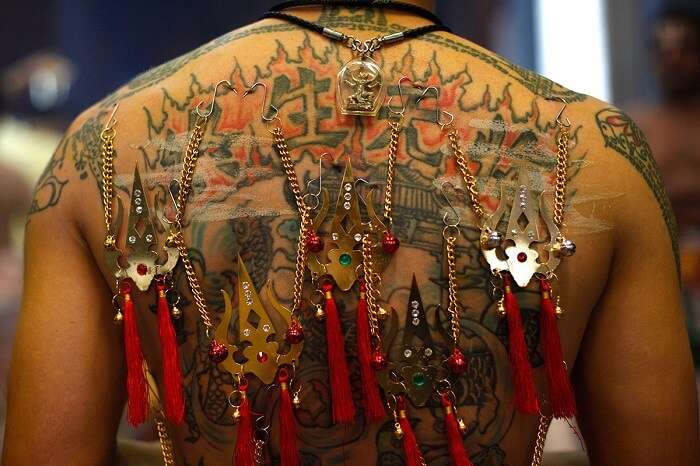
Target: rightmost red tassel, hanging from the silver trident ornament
x=561 y=395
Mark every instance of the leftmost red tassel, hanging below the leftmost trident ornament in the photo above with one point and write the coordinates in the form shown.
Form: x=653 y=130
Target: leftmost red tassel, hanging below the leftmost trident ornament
x=135 y=377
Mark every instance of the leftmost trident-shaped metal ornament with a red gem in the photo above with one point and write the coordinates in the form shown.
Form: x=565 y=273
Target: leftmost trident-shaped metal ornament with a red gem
x=141 y=260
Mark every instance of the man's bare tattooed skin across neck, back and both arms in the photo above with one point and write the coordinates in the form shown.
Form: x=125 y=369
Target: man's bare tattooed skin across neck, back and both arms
x=623 y=333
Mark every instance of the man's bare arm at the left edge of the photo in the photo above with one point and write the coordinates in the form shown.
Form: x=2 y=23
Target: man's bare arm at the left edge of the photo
x=66 y=378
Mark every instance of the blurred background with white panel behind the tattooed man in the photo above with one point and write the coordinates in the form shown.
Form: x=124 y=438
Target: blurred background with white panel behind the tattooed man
x=58 y=57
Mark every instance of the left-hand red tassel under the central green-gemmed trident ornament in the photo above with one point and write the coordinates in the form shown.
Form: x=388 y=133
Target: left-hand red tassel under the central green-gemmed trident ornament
x=341 y=393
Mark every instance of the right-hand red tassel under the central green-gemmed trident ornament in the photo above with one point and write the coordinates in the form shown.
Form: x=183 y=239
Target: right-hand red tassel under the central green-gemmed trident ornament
x=372 y=400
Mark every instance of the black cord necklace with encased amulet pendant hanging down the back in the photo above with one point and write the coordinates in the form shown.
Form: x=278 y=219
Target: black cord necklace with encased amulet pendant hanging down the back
x=360 y=86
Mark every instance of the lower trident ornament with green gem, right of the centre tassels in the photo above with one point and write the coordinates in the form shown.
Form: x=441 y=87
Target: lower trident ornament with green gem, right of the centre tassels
x=413 y=361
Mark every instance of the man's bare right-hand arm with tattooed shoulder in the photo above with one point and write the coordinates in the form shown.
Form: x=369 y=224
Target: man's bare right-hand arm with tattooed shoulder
x=634 y=373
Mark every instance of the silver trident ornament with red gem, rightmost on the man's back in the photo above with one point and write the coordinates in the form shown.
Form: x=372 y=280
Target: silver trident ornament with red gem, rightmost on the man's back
x=517 y=253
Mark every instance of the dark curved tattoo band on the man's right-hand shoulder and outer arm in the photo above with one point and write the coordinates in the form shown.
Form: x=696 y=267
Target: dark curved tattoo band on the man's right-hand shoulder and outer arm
x=623 y=135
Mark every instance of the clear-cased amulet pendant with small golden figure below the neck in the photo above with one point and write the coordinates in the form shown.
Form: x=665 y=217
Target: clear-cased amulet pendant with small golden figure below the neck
x=360 y=87
